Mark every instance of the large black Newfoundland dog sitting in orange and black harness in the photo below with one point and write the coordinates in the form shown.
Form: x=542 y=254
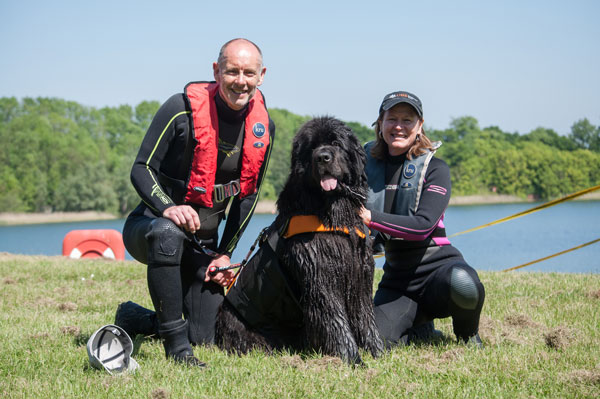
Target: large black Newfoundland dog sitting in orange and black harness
x=309 y=287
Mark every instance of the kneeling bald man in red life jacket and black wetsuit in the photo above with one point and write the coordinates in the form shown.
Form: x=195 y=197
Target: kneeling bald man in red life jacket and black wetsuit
x=205 y=148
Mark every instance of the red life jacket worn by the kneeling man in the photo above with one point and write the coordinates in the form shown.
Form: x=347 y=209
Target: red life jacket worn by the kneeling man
x=206 y=131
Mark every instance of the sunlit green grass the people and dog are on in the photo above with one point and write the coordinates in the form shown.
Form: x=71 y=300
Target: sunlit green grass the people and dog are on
x=541 y=332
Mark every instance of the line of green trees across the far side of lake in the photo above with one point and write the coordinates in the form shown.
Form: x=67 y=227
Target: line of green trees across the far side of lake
x=59 y=155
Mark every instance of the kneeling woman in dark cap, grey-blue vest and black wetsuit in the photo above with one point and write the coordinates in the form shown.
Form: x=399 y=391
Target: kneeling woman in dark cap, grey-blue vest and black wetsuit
x=424 y=277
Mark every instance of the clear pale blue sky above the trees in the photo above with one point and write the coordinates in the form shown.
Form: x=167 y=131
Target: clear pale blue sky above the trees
x=514 y=64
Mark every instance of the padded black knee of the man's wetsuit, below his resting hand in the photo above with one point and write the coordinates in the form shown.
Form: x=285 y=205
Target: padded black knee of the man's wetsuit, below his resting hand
x=165 y=242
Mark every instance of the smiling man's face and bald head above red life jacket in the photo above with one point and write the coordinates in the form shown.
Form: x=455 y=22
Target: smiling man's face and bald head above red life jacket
x=239 y=73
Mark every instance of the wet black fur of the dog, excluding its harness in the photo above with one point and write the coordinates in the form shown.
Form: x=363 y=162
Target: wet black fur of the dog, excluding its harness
x=331 y=271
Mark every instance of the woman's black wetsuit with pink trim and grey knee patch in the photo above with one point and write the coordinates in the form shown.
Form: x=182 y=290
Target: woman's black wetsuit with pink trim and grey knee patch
x=425 y=277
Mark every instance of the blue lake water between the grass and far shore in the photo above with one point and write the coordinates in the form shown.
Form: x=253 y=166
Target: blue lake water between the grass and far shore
x=497 y=247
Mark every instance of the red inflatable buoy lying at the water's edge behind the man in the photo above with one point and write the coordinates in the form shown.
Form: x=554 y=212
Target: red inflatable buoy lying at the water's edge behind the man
x=94 y=244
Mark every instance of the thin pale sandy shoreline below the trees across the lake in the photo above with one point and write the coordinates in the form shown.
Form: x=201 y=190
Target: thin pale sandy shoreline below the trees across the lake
x=263 y=207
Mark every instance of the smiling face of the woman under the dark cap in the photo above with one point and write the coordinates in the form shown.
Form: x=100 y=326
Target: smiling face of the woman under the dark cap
x=400 y=126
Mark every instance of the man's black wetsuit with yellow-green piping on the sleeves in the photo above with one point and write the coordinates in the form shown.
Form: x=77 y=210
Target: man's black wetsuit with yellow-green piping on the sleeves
x=163 y=153
